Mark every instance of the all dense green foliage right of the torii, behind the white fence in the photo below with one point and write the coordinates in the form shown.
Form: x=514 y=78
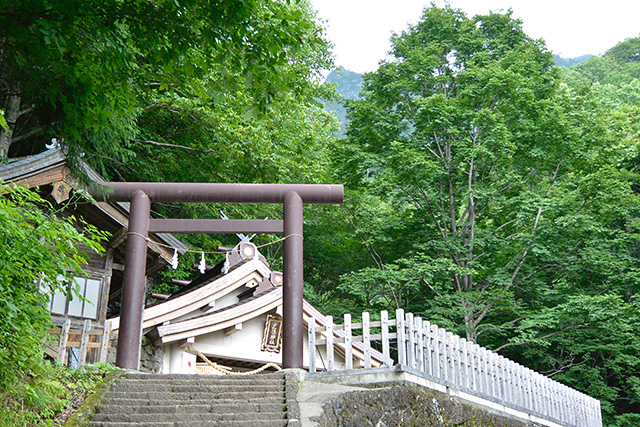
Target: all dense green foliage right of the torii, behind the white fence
x=495 y=194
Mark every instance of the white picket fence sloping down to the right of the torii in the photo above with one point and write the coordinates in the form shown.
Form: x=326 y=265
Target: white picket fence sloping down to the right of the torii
x=452 y=361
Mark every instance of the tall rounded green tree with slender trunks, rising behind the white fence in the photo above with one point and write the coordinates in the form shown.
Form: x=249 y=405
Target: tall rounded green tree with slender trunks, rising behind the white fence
x=454 y=135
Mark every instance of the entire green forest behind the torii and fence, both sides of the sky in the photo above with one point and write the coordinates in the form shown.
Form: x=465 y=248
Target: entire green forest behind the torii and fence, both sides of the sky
x=487 y=190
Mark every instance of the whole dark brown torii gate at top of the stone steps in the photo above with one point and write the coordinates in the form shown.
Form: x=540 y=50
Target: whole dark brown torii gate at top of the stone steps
x=141 y=194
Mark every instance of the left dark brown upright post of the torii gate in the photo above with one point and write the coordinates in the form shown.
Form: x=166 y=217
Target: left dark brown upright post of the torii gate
x=130 y=334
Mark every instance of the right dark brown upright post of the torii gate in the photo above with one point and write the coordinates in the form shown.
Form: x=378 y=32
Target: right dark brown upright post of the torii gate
x=292 y=328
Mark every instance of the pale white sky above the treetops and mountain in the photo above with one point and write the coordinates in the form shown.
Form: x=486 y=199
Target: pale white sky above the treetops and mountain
x=360 y=29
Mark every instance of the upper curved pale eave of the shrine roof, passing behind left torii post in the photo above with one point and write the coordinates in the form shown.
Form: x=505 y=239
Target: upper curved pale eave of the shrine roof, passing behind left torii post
x=200 y=297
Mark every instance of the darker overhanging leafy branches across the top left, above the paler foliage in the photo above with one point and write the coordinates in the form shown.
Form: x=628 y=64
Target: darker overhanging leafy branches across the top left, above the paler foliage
x=84 y=71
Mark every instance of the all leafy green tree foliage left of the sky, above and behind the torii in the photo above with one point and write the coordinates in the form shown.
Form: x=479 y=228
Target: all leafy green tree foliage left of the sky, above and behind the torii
x=171 y=91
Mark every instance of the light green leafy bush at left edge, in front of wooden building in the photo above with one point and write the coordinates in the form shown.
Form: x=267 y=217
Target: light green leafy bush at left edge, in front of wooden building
x=39 y=253
